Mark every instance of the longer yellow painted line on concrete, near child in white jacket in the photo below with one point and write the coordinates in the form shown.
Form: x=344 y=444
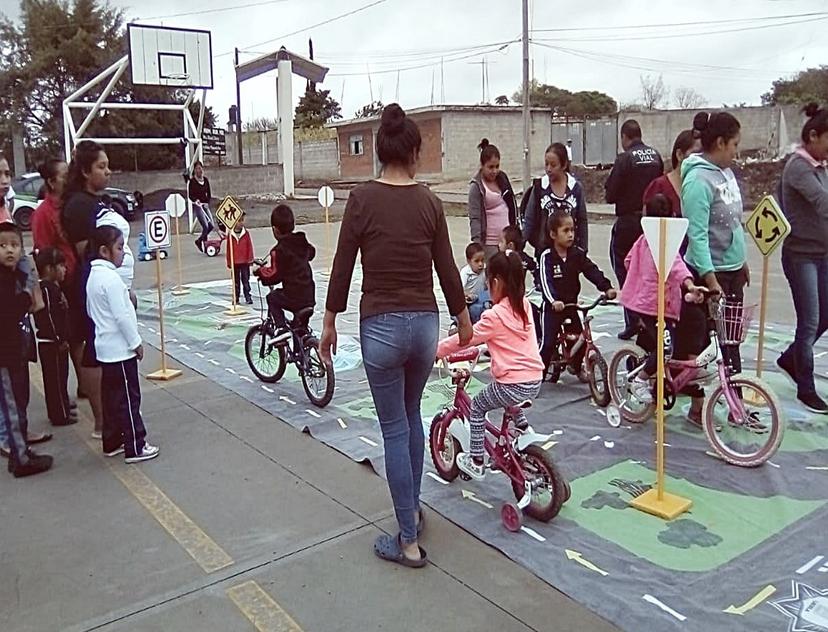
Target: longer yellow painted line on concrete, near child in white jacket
x=201 y=547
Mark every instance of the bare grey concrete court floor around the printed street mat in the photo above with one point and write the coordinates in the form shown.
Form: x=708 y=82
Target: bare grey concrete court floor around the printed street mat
x=241 y=520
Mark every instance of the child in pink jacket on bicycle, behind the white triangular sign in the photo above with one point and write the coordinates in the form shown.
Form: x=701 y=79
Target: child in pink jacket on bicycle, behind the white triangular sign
x=640 y=295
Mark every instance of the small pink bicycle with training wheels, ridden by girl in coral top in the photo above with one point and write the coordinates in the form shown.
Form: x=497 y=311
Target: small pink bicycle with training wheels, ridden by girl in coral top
x=538 y=486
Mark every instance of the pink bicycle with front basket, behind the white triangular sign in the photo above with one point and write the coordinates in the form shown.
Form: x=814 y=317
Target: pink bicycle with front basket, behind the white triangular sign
x=741 y=415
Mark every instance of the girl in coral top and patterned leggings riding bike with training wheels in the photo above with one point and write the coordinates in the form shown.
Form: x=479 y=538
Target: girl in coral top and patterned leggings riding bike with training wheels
x=509 y=332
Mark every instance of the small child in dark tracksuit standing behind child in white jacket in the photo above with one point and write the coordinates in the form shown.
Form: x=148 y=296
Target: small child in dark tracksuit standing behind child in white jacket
x=52 y=324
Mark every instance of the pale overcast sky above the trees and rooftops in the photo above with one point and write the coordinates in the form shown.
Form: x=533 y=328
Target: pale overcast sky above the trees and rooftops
x=732 y=53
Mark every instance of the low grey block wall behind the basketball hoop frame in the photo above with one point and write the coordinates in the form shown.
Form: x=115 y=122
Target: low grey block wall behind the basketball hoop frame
x=244 y=180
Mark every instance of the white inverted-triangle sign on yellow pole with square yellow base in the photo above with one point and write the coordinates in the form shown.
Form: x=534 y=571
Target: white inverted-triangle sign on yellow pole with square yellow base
x=664 y=238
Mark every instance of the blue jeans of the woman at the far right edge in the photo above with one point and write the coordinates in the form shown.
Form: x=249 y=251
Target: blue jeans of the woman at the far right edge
x=808 y=278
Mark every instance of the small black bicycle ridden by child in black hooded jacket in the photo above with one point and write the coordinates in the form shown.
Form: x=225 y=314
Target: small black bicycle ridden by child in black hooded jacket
x=268 y=353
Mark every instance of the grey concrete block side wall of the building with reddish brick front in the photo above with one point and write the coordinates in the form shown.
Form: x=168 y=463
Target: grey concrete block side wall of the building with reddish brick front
x=462 y=132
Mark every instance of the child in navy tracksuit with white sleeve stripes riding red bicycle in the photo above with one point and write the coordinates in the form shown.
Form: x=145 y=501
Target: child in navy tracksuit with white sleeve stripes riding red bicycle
x=561 y=267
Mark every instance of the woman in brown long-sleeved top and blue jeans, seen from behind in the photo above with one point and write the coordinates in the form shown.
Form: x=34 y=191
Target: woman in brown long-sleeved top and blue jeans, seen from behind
x=399 y=228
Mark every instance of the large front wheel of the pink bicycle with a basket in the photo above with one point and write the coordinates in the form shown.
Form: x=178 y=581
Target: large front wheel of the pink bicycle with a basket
x=747 y=438
